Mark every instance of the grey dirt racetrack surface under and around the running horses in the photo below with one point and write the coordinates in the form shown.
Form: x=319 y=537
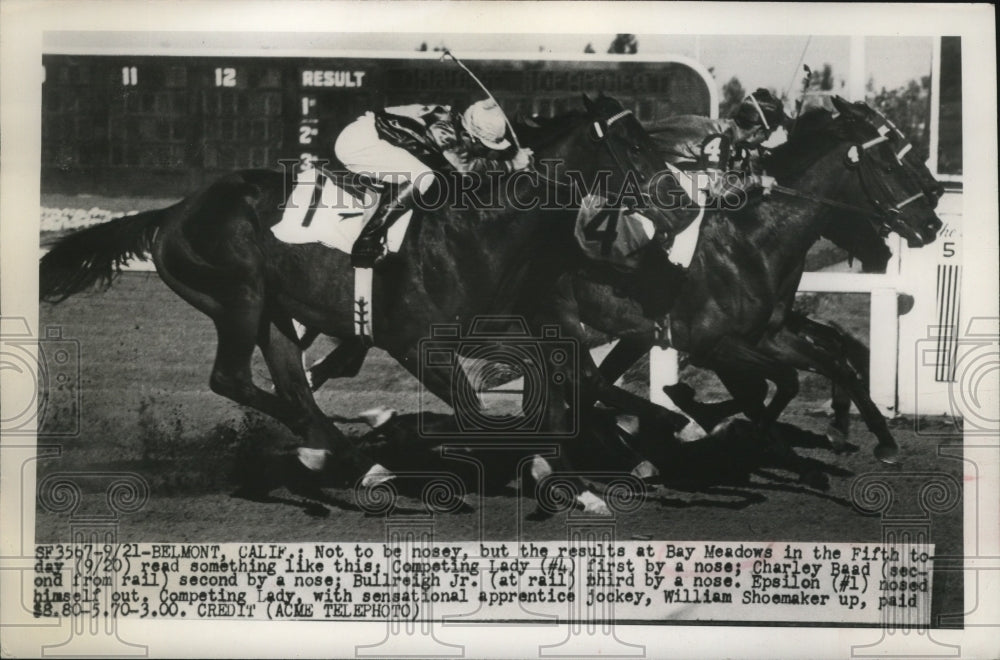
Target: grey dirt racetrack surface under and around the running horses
x=219 y=473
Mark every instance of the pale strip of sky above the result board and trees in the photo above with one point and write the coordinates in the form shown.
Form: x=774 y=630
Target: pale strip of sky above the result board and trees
x=758 y=61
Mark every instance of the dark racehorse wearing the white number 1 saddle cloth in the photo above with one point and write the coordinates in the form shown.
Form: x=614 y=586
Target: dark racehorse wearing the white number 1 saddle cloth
x=215 y=250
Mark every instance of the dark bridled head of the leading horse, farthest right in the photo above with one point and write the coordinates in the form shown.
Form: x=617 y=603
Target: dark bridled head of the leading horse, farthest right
x=869 y=179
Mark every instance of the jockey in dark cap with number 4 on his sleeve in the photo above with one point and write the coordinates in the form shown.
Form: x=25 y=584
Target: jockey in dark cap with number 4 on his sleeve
x=717 y=146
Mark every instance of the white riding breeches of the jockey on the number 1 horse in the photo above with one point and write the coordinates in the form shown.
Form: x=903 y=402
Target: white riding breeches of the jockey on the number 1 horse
x=361 y=151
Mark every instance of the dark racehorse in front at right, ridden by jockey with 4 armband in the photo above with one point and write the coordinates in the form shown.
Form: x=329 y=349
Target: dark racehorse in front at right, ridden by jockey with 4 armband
x=734 y=314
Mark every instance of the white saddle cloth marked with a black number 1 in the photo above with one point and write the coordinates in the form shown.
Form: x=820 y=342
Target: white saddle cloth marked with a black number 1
x=331 y=216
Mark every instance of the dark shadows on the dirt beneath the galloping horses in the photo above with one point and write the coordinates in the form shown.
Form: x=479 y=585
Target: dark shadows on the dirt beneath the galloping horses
x=732 y=469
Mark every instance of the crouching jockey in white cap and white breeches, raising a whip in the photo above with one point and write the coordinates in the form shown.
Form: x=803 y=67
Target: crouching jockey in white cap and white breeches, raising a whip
x=403 y=146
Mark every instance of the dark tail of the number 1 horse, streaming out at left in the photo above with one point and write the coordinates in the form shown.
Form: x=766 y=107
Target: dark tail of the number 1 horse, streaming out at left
x=95 y=255
